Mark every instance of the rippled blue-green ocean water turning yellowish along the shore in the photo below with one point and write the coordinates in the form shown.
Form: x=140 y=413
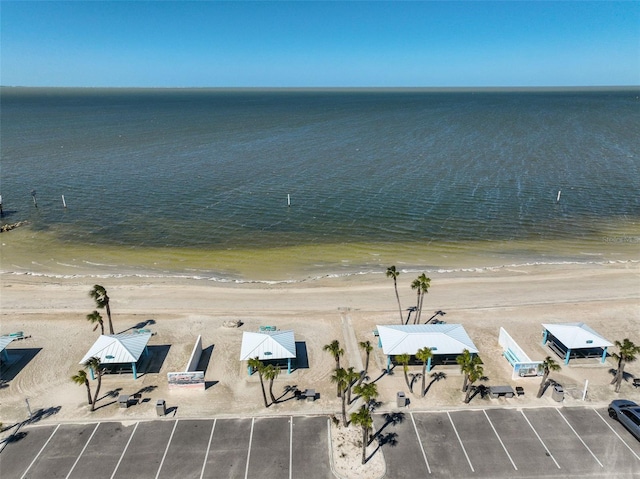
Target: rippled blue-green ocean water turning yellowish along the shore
x=198 y=182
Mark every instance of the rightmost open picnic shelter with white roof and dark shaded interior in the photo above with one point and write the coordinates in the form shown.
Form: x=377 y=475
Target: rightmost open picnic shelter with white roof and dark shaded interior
x=569 y=340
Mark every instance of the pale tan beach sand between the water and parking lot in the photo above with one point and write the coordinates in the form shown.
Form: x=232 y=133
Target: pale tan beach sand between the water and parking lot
x=52 y=312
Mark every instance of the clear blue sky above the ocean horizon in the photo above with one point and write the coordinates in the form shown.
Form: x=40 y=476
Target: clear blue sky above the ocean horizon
x=319 y=44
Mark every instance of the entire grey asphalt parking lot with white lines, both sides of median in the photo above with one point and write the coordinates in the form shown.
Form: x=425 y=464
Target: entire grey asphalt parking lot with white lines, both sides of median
x=540 y=442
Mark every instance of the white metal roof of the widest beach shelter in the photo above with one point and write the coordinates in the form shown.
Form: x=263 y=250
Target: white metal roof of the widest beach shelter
x=441 y=338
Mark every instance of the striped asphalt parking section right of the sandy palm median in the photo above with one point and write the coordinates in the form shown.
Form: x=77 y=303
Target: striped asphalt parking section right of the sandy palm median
x=506 y=443
